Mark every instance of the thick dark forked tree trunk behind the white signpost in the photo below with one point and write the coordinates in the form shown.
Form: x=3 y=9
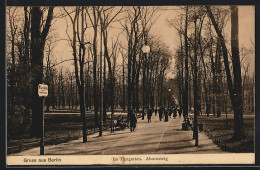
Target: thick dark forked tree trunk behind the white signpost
x=38 y=43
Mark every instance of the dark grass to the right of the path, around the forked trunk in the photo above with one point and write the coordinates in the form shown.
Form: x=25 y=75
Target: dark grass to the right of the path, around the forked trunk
x=220 y=131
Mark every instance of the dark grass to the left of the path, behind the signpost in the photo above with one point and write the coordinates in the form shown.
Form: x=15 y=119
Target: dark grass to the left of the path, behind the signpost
x=58 y=129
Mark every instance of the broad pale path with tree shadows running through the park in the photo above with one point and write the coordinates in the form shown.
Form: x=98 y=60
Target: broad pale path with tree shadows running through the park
x=157 y=137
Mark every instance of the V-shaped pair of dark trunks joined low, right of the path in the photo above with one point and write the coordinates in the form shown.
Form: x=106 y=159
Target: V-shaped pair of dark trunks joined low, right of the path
x=235 y=91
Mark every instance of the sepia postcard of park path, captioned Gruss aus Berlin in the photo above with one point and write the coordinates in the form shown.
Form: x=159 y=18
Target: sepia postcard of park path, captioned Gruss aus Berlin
x=130 y=85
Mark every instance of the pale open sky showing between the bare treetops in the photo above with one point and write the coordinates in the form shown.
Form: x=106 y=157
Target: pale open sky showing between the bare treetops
x=167 y=34
